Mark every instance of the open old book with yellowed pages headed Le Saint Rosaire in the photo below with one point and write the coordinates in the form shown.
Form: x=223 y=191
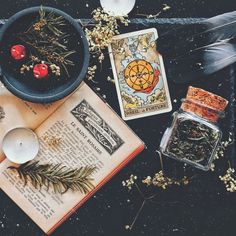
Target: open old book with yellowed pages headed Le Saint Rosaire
x=91 y=133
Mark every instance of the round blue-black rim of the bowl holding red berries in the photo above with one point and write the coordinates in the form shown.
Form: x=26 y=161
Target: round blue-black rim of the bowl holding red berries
x=71 y=87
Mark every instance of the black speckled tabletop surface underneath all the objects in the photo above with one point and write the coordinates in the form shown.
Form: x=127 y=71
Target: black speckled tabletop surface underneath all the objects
x=202 y=208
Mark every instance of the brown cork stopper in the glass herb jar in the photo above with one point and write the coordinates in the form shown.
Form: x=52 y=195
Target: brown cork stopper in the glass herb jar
x=204 y=104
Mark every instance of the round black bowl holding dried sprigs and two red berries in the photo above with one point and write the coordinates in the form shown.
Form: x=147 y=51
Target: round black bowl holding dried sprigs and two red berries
x=48 y=90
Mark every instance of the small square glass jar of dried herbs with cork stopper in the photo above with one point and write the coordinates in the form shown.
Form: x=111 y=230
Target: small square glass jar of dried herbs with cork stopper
x=194 y=135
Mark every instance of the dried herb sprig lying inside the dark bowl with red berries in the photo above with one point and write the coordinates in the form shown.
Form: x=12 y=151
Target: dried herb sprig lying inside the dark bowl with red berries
x=46 y=39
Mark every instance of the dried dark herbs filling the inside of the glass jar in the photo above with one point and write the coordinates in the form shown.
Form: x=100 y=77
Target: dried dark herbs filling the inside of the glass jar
x=193 y=141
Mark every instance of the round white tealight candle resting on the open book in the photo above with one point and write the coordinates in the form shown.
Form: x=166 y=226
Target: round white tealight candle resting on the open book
x=20 y=145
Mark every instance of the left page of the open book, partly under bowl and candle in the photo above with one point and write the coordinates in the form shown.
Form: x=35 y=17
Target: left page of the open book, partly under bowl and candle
x=15 y=112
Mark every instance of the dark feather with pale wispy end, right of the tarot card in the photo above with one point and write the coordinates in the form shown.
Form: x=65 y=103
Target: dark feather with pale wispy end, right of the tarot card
x=201 y=49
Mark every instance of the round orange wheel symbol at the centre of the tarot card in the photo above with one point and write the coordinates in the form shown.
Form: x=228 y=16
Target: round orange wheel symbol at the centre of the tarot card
x=141 y=76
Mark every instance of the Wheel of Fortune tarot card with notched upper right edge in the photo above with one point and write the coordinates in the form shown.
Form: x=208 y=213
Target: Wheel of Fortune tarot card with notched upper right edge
x=139 y=74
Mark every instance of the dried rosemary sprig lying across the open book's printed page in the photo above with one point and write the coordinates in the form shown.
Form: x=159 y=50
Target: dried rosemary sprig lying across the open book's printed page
x=57 y=176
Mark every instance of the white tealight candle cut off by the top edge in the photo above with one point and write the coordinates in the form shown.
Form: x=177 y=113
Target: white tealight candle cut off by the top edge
x=118 y=7
